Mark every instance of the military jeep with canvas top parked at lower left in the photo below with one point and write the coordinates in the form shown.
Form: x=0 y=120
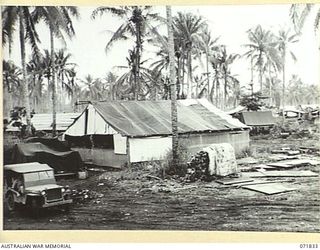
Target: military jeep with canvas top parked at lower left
x=33 y=185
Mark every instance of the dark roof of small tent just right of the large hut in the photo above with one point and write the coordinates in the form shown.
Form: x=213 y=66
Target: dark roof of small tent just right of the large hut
x=258 y=118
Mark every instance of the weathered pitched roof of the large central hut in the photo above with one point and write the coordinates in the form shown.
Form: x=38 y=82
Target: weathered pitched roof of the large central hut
x=147 y=118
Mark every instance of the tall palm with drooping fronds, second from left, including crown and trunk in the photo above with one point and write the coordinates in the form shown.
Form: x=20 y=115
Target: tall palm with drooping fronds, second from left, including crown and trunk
x=58 y=19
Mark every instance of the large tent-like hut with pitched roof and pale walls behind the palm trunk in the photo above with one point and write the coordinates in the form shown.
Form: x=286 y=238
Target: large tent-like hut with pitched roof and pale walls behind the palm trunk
x=112 y=133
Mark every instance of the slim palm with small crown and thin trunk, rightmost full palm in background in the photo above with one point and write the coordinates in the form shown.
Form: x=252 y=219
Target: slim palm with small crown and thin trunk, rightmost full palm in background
x=285 y=39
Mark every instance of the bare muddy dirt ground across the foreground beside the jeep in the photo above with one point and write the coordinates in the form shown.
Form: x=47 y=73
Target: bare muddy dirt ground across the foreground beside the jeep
x=130 y=200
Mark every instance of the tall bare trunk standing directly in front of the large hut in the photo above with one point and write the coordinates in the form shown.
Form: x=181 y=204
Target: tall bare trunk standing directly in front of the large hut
x=174 y=113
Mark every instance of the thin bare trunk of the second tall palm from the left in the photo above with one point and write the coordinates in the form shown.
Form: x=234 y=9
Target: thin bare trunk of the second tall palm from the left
x=53 y=84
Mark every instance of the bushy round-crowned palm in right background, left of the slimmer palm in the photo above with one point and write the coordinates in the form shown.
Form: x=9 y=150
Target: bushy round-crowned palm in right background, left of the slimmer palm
x=261 y=41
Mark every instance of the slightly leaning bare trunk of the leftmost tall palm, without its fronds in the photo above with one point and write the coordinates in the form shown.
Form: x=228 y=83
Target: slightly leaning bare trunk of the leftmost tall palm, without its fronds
x=25 y=87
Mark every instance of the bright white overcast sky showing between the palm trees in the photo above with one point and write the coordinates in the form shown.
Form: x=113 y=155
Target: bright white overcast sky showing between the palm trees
x=229 y=22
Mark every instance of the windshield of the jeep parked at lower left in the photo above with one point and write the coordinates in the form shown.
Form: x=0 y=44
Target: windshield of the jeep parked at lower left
x=39 y=178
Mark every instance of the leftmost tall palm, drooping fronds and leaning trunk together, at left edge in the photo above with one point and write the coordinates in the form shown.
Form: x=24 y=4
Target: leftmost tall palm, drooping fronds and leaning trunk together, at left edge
x=21 y=16
